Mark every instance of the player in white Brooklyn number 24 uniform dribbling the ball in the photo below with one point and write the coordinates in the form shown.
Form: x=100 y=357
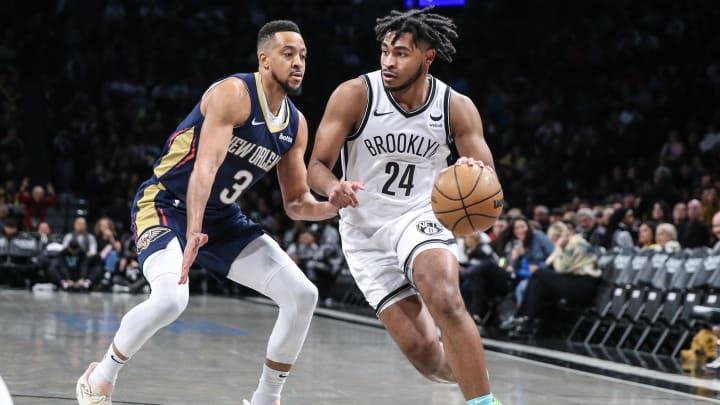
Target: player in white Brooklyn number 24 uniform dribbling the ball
x=395 y=128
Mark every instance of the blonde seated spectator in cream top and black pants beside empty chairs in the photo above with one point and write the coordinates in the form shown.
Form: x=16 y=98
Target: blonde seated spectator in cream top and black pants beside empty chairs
x=571 y=275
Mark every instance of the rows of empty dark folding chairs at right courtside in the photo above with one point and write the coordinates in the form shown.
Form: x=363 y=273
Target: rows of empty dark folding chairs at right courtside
x=645 y=300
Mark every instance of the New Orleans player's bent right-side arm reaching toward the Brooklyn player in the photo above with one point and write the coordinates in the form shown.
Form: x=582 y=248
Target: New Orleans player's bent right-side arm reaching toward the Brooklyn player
x=292 y=175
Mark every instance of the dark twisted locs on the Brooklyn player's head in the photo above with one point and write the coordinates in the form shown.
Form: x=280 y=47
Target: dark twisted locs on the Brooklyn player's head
x=437 y=30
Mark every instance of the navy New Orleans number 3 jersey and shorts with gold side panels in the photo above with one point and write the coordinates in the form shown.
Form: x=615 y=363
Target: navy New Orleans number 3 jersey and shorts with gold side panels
x=159 y=208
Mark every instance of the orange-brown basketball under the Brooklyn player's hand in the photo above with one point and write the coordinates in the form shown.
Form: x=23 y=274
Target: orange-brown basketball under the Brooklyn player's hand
x=467 y=198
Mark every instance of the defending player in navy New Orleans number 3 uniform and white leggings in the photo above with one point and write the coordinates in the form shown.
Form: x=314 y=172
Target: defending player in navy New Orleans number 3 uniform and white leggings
x=187 y=212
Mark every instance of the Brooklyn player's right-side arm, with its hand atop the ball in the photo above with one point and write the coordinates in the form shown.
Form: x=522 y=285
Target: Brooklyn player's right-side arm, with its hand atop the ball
x=466 y=126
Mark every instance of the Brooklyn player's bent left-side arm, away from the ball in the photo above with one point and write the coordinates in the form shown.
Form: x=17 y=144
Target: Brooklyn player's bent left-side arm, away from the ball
x=343 y=115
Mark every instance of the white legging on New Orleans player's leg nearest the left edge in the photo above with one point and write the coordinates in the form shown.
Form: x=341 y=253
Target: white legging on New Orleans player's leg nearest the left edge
x=166 y=302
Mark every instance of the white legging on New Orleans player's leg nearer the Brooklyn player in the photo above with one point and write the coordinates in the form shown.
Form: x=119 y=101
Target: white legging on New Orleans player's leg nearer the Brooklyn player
x=266 y=268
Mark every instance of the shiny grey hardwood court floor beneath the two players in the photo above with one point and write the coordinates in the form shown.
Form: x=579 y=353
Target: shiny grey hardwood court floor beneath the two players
x=213 y=355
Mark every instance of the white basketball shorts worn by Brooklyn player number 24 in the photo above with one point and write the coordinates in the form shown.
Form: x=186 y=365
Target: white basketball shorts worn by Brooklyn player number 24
x=381 y=259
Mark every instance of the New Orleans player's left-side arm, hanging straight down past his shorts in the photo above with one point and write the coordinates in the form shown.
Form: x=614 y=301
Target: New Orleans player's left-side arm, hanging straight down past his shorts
x=224 y=107
